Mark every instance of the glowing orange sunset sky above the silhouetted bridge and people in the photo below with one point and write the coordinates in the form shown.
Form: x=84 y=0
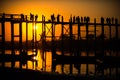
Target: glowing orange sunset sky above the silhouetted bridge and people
x=92 y=8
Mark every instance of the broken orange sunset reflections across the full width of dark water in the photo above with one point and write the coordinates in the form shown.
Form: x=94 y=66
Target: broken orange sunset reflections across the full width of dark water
x=46 y=64
